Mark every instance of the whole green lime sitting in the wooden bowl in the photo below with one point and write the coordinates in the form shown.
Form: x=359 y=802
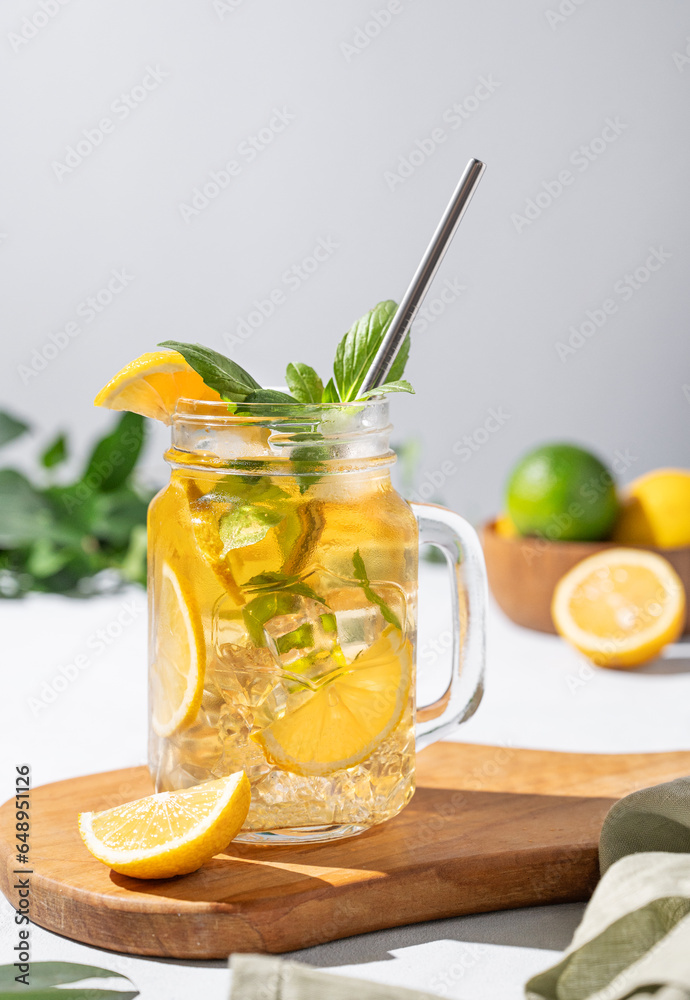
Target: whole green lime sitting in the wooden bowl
x=563 y=493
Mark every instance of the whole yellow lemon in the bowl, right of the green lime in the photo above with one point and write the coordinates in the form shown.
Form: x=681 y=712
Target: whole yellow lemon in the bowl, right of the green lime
x=656 y=510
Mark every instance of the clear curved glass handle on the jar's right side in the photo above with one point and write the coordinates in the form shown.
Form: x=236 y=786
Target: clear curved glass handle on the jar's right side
x=459 y=542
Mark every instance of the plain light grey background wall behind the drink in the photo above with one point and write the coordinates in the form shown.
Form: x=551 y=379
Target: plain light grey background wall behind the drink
x=355 y=110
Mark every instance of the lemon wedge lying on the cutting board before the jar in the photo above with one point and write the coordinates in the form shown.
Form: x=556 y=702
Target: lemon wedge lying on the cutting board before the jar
x=171 y=833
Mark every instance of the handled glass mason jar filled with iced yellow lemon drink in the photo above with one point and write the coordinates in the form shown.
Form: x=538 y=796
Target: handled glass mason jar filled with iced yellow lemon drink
x=282 y=616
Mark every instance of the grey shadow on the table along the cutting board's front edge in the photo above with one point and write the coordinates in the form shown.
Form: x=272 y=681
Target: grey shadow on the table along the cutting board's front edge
x=542 y=927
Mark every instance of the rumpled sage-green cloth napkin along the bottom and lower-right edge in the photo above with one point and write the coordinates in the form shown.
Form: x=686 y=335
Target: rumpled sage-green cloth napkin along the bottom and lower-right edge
x=633 y=942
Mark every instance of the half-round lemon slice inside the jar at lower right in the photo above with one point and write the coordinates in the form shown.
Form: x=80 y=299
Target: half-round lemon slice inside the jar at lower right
x=344 y=721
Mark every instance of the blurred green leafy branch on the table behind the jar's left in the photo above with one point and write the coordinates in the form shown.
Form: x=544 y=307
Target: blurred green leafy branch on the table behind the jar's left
x=57 y=537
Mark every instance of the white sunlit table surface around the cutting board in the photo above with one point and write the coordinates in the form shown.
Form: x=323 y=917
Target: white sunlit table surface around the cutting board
x=539 y=694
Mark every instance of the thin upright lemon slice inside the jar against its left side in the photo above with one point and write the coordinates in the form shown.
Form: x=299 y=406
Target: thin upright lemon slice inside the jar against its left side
x=177 y=671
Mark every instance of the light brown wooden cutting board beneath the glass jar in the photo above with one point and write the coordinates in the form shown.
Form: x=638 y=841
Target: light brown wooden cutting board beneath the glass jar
x=489 y=828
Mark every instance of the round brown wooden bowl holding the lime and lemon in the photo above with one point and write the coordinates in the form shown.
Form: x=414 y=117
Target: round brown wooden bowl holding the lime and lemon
x=524 y=571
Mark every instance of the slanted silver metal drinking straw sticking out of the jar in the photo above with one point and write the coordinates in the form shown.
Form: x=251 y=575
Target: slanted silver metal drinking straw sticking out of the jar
x=414 y=296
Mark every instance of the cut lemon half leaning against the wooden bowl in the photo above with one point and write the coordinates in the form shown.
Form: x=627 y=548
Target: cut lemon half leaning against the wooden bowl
x=620 y=607
